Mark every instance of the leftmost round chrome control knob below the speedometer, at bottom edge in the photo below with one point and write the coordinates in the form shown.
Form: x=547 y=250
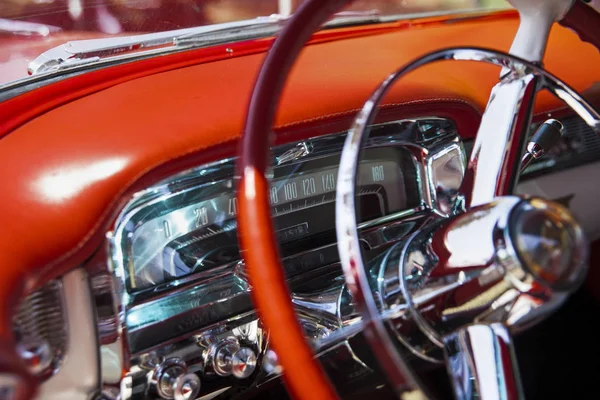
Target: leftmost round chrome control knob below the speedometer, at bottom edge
x=174 y=382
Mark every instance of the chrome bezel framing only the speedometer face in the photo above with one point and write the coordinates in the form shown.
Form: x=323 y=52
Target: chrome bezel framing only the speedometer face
x=217 y=177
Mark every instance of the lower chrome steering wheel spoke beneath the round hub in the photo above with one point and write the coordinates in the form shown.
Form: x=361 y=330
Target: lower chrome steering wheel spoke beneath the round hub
x=478 y=352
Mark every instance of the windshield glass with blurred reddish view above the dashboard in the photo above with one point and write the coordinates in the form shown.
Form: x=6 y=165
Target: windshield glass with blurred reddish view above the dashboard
x=30 y=27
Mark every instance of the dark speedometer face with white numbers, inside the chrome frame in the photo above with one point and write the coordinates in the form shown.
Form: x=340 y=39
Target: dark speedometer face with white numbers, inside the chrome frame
x=195 y=230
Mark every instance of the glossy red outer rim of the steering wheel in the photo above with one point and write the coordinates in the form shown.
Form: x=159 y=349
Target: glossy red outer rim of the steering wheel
x=257 y=238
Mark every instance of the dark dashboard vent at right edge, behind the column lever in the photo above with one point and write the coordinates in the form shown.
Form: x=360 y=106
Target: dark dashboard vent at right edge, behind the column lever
x=579 y=145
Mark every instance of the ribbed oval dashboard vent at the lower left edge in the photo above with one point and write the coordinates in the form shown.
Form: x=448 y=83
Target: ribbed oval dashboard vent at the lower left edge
x=40 y=329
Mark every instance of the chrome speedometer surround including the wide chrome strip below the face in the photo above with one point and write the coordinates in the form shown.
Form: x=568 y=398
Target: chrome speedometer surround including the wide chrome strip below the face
x=429 y=138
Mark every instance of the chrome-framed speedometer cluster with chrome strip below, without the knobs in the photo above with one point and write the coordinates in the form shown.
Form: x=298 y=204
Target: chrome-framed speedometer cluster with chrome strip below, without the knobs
x=174 y=248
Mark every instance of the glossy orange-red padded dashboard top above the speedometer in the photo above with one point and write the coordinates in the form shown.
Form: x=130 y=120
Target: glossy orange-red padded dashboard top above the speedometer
x=73 y=151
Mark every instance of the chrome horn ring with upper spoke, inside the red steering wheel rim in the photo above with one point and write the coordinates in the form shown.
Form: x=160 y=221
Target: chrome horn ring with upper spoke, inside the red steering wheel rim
x=477 y=191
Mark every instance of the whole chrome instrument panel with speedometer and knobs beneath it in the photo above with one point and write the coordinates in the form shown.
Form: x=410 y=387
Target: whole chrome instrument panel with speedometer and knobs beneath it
x=182 y=293
